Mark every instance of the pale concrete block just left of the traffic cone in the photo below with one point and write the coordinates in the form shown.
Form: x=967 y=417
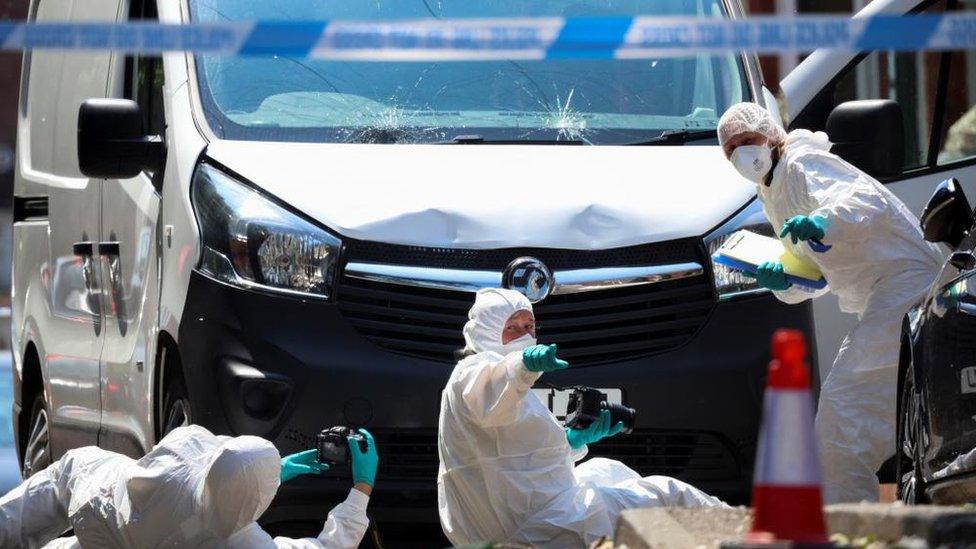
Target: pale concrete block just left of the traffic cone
x=676 y=527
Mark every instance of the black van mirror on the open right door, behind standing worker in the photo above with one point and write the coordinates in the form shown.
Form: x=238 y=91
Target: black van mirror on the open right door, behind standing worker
x=869 y=134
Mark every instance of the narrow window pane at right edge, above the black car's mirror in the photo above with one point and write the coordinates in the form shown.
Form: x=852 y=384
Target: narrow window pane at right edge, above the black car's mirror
x=958 y=139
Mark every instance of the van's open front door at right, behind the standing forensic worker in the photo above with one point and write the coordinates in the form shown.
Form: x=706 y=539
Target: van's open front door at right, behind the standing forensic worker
x=936 y=92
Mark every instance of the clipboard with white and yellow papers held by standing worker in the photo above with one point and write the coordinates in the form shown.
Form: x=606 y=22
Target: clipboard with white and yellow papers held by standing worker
x=745 y=251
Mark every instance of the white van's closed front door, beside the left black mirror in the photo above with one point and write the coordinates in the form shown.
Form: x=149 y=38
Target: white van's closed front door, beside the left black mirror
x=128 y=262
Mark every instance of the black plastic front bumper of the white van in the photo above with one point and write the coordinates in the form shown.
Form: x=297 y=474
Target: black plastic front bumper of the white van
x=286 y=368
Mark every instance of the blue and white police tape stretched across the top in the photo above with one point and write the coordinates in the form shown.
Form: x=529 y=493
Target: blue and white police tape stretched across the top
x=517 y=38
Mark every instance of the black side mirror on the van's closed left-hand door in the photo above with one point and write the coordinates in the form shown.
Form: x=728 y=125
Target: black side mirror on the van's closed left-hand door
x=112 y=140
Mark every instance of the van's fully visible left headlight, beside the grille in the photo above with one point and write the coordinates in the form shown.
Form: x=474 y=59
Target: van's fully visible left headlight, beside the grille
x=249 y=241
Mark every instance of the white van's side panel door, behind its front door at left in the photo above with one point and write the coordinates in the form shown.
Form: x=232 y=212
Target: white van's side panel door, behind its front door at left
x=70 y=339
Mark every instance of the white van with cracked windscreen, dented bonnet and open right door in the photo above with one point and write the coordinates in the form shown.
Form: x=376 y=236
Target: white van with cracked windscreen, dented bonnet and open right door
x=275 y=245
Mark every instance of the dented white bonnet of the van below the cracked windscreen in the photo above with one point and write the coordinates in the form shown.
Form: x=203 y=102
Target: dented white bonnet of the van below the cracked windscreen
x=497 y=196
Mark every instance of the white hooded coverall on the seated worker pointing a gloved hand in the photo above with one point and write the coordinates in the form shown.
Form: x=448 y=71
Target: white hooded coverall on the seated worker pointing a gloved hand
x=506 y=470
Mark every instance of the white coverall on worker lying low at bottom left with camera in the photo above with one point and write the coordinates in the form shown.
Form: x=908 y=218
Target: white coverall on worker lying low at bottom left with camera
x=193 y=489
